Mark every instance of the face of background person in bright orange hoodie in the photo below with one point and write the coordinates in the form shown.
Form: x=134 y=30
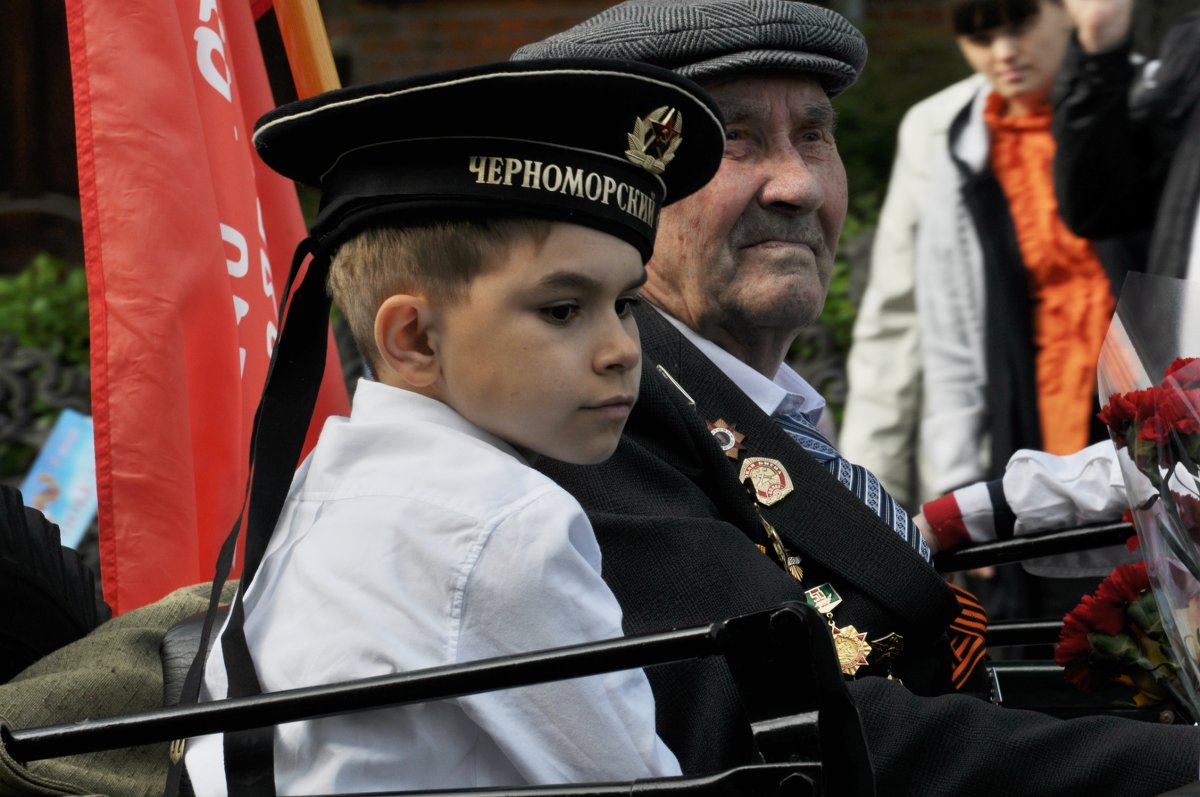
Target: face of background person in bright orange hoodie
x=1022 y=62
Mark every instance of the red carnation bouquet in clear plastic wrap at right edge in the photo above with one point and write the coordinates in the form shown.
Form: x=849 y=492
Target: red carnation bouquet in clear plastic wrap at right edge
x=1151 y=406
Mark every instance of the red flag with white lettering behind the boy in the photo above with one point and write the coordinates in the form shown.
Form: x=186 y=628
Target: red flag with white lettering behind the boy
x=188 y=241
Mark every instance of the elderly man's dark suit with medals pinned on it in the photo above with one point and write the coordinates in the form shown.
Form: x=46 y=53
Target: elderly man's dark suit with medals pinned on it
x=680 y=542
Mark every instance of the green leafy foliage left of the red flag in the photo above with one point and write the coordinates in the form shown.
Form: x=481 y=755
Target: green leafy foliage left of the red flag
x=46 y=307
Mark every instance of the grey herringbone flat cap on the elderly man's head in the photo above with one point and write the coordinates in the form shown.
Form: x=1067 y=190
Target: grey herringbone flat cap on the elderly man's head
x=706 y=40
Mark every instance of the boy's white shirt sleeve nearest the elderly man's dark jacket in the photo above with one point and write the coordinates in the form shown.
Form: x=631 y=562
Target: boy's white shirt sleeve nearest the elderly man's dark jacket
x=537 y=585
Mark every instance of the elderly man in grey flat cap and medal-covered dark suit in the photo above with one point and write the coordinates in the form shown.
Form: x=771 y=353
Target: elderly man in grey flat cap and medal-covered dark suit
x=740 y=268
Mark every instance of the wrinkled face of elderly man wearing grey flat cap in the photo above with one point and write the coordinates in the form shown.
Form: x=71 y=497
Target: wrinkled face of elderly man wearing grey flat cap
x=749 y=256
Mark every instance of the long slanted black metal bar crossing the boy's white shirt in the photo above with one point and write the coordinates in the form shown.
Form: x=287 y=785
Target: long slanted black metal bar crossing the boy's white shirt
x=437 y=684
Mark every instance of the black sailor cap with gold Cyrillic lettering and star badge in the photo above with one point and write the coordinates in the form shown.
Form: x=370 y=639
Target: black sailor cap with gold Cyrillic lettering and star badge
x=601 y=143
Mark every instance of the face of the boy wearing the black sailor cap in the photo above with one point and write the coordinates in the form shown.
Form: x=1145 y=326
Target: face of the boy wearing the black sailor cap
x=543 y=351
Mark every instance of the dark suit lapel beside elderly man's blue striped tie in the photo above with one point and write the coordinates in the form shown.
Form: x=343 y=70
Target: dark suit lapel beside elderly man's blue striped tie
x=821 y=519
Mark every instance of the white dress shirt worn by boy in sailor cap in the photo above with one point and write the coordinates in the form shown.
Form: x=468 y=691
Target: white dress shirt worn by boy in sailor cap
x=413 y=540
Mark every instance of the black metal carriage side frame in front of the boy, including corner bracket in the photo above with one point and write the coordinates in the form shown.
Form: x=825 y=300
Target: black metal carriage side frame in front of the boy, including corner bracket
x=789 y=639
